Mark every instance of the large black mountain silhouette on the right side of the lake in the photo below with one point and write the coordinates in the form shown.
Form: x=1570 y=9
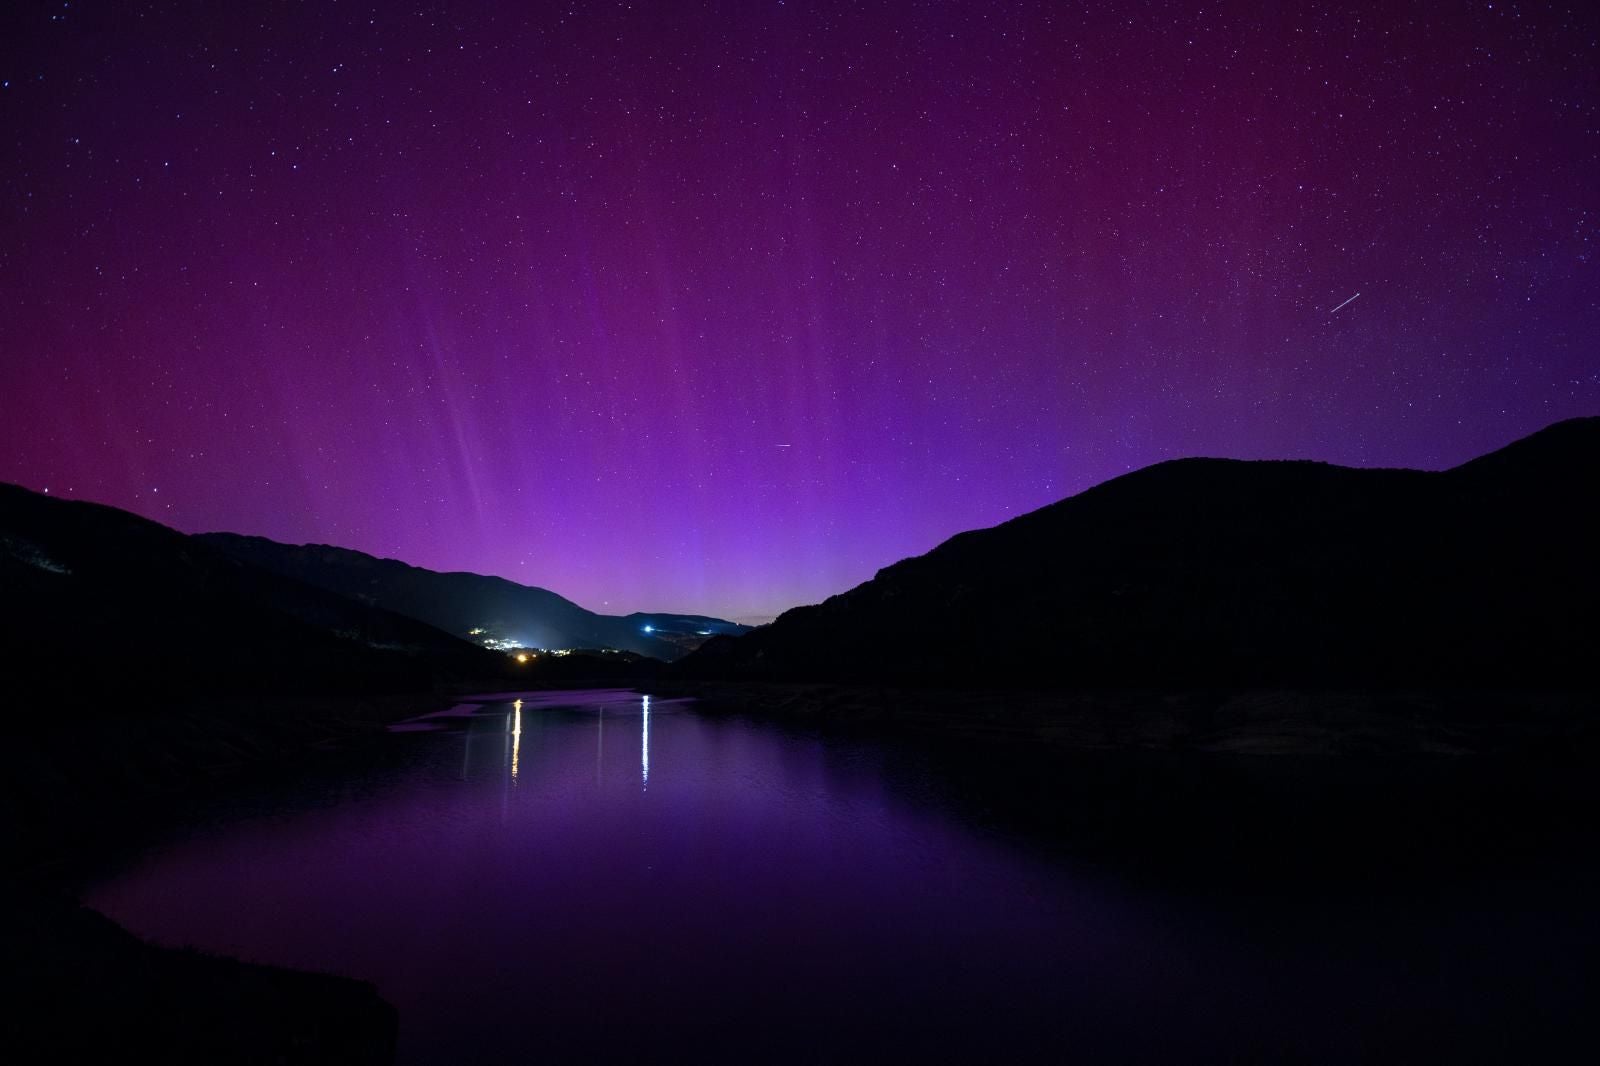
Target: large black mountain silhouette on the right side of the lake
x=1217 y=572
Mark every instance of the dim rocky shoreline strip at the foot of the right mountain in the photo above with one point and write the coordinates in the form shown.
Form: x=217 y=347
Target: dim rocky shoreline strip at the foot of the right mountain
x=1223 y=723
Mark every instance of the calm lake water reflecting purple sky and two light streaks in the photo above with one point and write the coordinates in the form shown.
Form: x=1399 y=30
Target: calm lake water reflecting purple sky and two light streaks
x=598 y=876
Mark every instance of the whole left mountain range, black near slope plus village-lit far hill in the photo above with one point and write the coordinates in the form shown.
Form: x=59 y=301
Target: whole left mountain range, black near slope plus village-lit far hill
x=92 y=591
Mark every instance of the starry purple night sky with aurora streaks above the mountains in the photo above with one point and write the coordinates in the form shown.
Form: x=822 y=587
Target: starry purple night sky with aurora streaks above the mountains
x=721 y=308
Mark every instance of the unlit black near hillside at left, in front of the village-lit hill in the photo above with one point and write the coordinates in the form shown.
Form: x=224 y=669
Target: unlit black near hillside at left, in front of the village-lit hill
x=102 y=596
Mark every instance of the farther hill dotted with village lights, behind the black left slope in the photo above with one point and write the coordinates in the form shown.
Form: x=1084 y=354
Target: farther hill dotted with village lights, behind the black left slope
x=466 y=603
